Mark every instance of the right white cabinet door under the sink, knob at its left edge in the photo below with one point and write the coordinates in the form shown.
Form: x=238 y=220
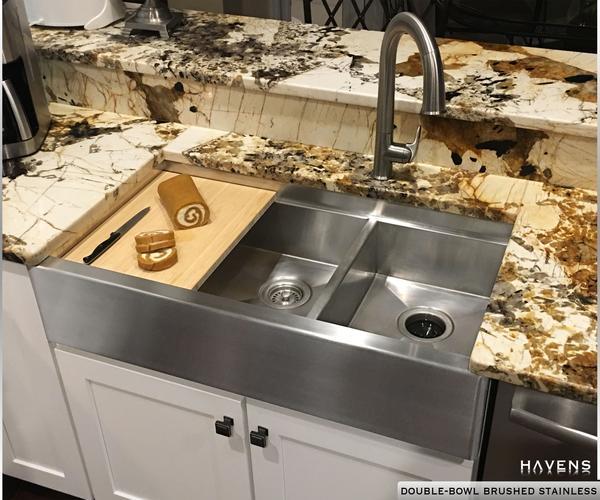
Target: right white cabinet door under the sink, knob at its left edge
x=306 y=457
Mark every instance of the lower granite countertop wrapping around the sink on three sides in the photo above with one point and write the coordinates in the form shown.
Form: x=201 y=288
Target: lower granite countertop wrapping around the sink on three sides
x=539 y=330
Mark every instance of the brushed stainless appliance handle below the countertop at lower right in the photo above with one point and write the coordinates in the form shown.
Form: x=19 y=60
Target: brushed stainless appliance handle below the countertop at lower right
x=569 y=421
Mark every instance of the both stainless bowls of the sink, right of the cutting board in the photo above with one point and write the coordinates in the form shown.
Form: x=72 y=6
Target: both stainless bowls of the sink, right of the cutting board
x=419 y=276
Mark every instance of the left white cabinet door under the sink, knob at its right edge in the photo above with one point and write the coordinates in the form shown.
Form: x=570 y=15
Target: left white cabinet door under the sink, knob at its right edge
x=147 y=435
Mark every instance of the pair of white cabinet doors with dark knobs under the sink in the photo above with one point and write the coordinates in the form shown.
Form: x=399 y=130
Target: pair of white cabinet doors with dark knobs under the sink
x=151 y=436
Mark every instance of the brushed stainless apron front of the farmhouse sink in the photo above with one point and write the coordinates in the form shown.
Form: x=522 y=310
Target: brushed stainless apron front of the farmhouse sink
x=337 y=373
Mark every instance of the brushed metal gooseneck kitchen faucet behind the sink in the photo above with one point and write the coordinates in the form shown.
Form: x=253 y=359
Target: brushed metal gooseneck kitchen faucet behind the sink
x=434 y=94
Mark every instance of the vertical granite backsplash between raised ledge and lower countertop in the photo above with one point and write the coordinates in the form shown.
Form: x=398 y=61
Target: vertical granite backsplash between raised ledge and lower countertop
x=564 y=160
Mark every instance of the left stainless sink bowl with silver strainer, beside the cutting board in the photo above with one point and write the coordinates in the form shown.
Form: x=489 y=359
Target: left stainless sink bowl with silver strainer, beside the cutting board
x=286 y=259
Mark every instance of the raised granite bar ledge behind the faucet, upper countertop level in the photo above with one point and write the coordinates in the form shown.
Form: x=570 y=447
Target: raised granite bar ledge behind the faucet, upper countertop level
x=508 y=84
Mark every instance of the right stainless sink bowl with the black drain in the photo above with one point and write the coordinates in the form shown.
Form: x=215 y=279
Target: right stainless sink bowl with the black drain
x=422 y=285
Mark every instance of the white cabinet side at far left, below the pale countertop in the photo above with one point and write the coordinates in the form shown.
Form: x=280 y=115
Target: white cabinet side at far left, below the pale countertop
x=38 y=438
